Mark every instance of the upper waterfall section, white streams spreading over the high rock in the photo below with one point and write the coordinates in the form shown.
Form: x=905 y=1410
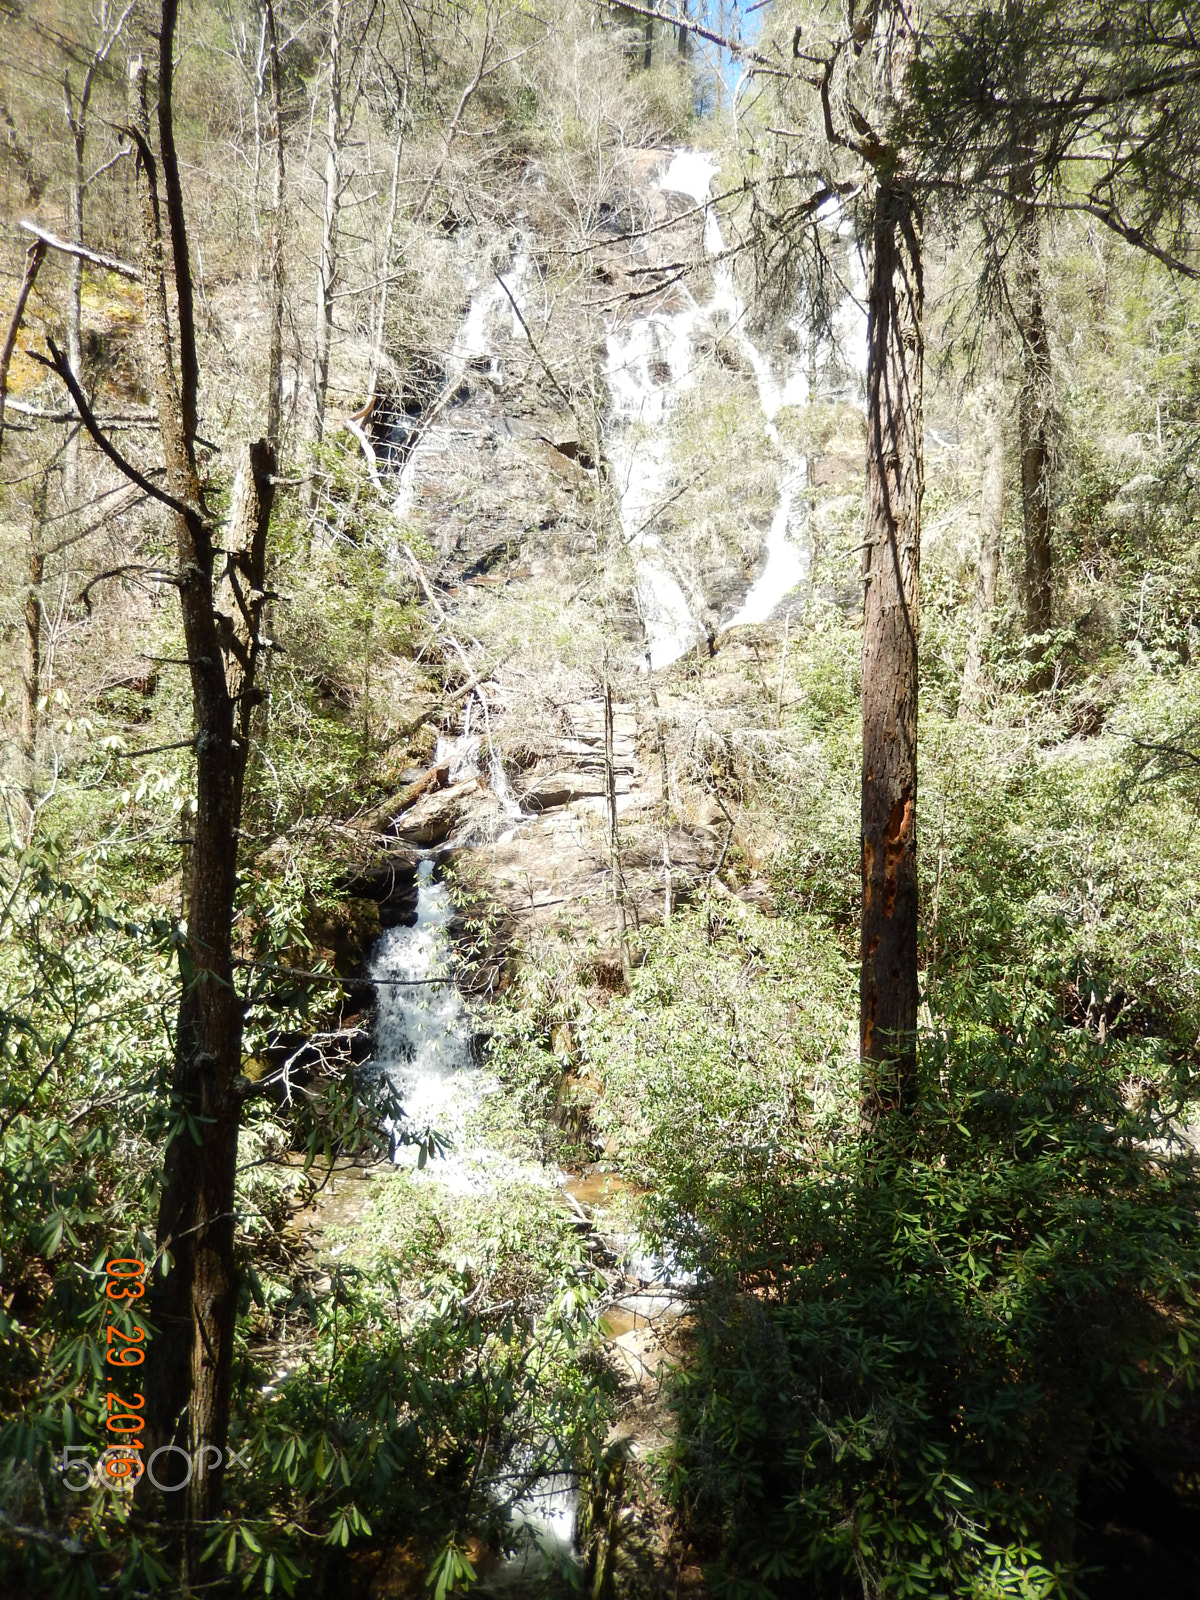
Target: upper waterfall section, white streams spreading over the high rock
x=650 y=343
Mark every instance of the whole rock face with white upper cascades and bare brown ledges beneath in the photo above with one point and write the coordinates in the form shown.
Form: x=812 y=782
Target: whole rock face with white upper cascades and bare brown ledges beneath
x=596 y=478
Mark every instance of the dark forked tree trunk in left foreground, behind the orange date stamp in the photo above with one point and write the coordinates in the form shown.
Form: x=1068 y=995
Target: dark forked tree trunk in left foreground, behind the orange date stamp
x=188 y=1385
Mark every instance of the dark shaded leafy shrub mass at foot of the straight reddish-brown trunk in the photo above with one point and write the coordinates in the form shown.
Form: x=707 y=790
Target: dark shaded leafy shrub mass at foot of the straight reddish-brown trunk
x=950 y=1326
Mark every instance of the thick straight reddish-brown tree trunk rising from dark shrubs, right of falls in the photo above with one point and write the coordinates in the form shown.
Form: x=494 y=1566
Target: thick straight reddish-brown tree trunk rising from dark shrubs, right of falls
x=890 y=623
